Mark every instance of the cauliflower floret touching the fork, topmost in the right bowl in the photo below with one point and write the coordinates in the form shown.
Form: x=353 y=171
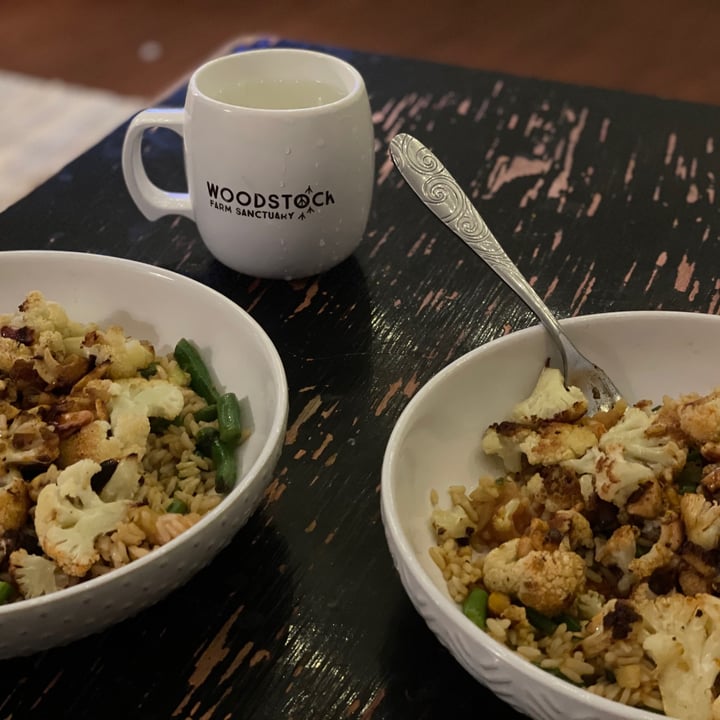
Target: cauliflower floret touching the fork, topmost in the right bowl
x=550 y=400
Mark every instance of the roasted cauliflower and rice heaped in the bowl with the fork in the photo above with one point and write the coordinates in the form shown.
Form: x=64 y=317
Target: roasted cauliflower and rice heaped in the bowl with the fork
x=595 y=554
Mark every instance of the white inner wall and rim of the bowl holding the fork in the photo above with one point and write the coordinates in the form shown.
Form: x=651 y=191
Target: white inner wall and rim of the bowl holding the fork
x=436 y=442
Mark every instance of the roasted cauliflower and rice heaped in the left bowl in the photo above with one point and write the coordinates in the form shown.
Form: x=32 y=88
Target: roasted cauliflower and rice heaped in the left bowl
x=75 y=397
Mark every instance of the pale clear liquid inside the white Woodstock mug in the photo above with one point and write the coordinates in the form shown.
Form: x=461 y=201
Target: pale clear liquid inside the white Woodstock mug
x=279 y=94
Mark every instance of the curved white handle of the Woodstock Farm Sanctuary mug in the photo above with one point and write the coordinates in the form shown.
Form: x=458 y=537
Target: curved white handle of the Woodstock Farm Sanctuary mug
x=150 y=199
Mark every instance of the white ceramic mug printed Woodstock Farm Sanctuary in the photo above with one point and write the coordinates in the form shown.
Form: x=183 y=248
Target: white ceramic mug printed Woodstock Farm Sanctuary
x=279 y=158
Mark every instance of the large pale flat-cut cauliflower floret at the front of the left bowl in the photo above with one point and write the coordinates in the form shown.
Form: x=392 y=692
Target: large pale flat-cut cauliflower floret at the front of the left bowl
x=69 y=516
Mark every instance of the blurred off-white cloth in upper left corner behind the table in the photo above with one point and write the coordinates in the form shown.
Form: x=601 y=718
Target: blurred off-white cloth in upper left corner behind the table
x=44 y=124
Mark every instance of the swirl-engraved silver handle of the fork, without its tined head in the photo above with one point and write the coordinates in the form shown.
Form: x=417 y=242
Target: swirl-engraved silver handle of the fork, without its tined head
x=440 y=192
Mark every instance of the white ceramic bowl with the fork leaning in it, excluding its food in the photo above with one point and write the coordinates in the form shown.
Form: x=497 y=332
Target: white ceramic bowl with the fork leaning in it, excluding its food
x=436 y=443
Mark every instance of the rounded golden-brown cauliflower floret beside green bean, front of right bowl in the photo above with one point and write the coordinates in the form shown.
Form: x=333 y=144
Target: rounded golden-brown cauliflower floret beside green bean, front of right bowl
x=545 y=580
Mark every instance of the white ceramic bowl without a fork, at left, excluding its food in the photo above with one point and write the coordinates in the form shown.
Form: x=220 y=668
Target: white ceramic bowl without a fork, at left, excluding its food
x=160 y=306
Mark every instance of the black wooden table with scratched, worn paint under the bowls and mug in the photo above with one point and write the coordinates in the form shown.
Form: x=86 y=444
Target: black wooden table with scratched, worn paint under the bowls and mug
x=607 y=201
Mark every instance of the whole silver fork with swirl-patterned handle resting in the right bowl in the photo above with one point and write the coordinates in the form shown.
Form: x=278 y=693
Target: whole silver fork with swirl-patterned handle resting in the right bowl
x=440 y=192
